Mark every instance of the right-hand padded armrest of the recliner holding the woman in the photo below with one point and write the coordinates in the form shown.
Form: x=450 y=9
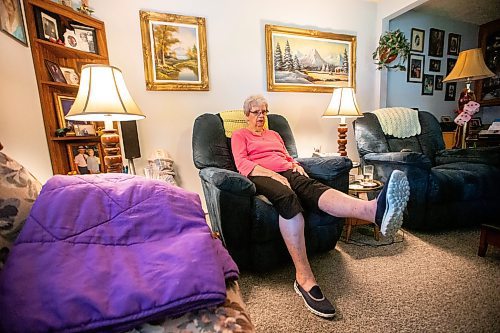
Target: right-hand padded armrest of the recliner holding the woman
x=325 y=168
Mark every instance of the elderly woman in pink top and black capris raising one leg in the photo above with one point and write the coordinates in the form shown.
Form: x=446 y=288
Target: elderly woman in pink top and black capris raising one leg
x=261 y=155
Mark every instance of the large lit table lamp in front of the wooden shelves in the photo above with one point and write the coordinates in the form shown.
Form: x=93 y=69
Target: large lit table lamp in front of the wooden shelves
x=103 y=96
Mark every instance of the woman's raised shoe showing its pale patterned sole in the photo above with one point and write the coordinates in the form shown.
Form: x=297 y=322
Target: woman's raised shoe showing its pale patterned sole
x=391 y=203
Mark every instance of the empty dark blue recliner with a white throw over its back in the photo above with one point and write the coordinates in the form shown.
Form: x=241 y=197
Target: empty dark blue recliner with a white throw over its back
x=448 y=188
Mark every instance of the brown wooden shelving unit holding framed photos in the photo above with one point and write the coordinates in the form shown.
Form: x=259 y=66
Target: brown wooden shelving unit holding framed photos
x=42 y=50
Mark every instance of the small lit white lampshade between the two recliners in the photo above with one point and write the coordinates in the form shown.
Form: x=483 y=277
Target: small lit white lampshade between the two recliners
x=343 y=104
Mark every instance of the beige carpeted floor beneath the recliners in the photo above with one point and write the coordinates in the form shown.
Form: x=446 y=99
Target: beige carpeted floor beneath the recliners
x=420 y=283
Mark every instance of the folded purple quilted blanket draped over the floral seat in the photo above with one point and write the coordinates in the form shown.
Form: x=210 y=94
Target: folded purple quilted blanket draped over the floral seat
x=106 y=252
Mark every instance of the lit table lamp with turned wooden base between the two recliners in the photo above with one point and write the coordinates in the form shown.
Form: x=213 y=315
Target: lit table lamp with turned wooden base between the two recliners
x=343 y=105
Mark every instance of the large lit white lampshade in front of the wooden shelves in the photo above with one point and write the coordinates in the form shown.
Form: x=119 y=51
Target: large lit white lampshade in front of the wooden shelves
x=103 y=96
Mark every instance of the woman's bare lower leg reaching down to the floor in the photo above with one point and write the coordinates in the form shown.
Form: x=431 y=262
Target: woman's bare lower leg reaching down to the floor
x=292 y=231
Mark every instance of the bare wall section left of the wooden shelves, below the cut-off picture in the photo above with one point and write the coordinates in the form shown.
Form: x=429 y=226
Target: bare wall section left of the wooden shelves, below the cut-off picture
x=21 y=124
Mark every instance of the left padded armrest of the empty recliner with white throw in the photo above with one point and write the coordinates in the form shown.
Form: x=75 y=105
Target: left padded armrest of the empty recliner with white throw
x=408 y=159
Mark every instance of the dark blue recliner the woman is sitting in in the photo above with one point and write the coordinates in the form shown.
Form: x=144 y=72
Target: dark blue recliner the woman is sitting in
x=248 y=225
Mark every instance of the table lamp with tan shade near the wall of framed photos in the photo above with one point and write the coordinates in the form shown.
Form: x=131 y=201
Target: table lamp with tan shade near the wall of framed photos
x=469 y=67
